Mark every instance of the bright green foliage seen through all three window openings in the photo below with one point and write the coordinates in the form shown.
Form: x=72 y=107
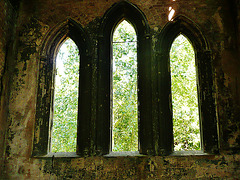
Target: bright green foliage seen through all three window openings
x=125 y=100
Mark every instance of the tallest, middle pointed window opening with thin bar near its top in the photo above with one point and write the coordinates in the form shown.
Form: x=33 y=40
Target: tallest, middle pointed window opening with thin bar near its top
x=124 y=89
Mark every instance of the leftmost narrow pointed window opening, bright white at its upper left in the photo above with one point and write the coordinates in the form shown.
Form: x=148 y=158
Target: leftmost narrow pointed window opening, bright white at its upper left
x=64 y=131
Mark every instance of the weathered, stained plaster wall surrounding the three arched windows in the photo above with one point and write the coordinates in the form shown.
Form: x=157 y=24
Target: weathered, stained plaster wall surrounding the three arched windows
x=37 y=18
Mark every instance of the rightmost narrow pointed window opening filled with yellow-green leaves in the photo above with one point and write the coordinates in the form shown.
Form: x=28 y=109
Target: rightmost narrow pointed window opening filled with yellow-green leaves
x=184 y=96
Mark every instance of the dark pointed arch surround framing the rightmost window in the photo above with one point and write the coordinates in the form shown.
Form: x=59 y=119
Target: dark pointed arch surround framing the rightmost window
x=203 y=60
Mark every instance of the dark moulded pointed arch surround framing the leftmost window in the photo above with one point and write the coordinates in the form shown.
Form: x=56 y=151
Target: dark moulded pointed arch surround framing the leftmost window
x=44 y=108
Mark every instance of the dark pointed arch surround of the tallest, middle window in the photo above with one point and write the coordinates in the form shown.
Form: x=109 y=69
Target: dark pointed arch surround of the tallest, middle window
x=131 y=13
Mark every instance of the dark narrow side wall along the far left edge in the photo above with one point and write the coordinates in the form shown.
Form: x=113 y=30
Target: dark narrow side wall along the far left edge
x=7 y=26
